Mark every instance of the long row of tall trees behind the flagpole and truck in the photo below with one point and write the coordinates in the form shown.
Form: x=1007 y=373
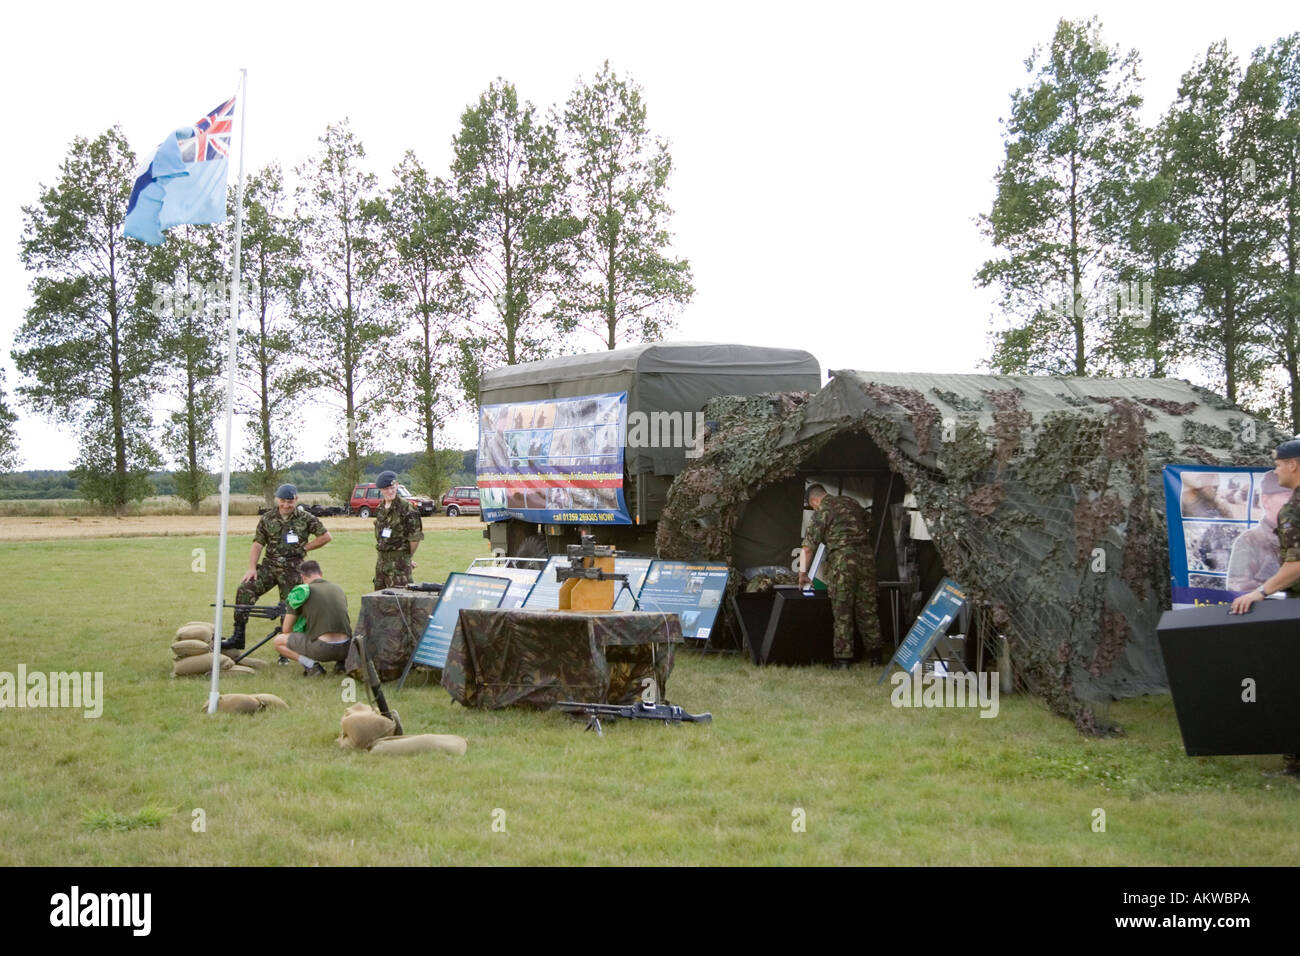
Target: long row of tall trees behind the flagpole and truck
x=385 y=304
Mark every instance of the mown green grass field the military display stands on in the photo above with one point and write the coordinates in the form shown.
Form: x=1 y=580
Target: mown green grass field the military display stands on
x=870 y=784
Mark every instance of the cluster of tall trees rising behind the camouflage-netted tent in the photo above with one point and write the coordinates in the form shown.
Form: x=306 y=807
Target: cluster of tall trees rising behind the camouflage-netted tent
x=1126 y=249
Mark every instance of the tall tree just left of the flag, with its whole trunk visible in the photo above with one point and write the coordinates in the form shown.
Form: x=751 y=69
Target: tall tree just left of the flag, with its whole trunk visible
x=89 y=344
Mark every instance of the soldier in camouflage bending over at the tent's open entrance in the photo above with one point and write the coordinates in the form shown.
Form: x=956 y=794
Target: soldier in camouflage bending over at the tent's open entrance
x=850 y=570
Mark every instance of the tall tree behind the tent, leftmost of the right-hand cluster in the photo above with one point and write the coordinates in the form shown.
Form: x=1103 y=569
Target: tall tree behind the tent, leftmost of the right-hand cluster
x=1073 y=141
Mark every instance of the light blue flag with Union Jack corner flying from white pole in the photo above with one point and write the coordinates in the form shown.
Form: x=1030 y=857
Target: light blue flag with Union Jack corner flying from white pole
x=185 y=181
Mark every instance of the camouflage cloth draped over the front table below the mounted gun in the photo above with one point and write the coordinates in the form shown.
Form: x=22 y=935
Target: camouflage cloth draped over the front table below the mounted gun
x=505 y=657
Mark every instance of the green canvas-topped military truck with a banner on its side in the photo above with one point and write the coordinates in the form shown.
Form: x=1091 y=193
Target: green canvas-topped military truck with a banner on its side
x=592 y=443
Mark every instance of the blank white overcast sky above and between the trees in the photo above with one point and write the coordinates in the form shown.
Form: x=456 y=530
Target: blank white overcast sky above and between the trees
x=829 y=163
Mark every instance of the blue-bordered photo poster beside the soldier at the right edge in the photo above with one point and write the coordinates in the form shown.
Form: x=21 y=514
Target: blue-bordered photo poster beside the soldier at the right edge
x=1223 y=526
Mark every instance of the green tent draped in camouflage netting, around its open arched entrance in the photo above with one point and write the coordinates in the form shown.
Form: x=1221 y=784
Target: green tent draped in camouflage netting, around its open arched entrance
x=1043 y=496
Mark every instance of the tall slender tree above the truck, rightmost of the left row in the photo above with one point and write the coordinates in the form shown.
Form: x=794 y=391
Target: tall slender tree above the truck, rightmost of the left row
x=627 y=287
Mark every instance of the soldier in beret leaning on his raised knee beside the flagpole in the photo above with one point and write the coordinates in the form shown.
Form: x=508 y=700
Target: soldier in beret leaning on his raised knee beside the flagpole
x=287 y=533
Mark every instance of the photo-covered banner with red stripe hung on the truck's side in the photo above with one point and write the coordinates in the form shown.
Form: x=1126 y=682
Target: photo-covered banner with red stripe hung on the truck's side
x=554 y=462
